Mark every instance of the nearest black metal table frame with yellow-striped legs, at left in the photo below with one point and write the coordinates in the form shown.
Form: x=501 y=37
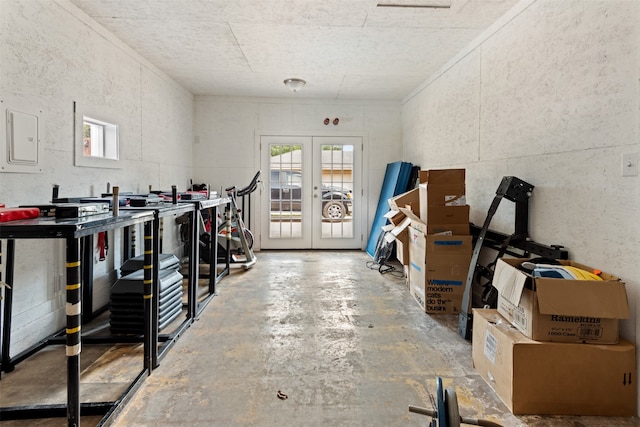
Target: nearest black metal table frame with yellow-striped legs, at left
x=73 y=230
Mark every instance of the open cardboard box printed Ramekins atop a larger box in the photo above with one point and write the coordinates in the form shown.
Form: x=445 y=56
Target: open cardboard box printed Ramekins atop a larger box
x=561 y=310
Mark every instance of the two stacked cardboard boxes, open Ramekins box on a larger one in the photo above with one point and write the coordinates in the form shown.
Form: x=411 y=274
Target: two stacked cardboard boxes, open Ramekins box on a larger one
x=552 y=346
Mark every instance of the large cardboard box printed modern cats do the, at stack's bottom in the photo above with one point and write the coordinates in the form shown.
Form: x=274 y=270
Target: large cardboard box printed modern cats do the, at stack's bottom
x=438 y=270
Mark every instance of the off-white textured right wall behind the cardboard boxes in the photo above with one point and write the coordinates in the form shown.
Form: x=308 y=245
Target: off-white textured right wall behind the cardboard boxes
x=549 y=94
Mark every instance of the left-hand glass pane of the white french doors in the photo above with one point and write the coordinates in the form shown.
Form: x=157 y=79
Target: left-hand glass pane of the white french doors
x=285 y=198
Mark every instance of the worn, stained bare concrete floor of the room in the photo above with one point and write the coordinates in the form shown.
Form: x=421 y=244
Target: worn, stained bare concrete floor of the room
x=348 y=346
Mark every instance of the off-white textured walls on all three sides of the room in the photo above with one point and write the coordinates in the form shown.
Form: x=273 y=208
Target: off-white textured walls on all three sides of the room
x=549 y=94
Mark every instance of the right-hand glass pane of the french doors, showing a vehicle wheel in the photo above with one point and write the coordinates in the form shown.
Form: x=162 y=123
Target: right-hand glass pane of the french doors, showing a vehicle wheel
x=337 y=191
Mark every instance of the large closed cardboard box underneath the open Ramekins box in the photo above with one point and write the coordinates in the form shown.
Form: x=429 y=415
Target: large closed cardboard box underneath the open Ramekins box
x=549 y=378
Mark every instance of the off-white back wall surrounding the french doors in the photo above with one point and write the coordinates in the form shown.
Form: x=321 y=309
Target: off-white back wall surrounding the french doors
x=225 y=136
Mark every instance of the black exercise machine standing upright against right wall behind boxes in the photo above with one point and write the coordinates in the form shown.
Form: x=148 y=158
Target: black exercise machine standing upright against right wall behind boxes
x=517 y=245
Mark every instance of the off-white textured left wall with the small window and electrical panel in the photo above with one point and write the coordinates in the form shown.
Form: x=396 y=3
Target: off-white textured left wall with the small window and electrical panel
x=52 y=55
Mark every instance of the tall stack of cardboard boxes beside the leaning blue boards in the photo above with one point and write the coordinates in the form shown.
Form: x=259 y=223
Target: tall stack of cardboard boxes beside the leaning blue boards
x=440 y=245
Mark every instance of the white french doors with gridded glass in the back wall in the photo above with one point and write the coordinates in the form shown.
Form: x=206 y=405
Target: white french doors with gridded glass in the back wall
x=311 y=198
